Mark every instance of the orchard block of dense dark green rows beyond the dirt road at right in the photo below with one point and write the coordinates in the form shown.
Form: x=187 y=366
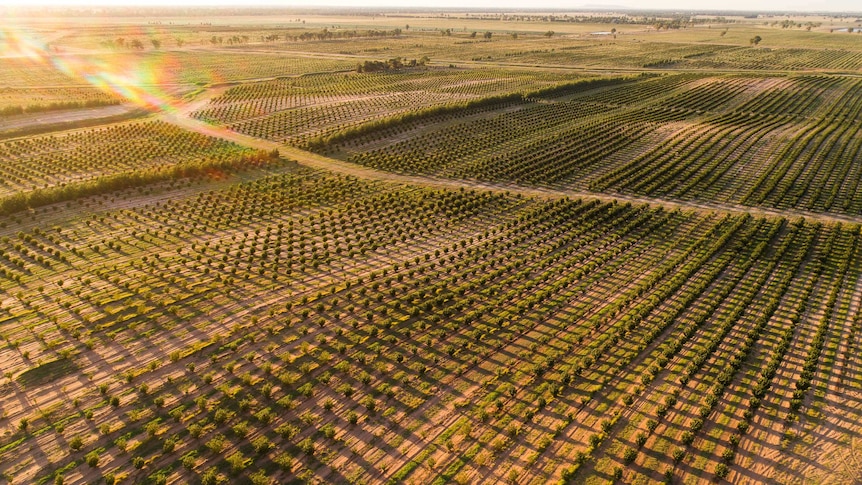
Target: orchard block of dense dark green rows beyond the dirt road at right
x=785 y=142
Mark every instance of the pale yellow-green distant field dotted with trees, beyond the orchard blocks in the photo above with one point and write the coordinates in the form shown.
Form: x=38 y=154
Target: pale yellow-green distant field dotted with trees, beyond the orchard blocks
x=721 y=47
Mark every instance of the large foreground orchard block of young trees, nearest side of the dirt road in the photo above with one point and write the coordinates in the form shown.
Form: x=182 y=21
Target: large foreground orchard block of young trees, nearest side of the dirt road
x=307 y=326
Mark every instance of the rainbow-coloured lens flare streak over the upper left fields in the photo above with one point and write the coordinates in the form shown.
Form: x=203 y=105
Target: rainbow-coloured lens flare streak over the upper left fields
x=137 y=78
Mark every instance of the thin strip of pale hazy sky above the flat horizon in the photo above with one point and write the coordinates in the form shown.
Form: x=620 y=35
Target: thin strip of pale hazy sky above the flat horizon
x=762 y=5
